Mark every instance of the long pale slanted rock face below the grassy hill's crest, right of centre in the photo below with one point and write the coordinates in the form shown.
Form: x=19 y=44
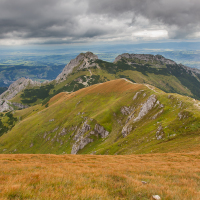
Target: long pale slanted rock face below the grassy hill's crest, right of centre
x=147 y=106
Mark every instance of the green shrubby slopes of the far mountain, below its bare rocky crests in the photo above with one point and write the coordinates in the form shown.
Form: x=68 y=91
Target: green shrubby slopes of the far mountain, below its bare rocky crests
x=169 y=78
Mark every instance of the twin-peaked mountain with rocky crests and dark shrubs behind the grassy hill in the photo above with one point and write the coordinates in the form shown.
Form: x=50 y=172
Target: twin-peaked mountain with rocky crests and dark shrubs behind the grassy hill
x=87 y=70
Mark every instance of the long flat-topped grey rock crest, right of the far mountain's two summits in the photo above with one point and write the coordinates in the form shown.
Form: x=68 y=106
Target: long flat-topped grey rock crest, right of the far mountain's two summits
x=144 y=57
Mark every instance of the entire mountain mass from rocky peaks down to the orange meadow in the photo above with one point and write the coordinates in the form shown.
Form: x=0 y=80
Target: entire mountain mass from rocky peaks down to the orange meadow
x=140 y=103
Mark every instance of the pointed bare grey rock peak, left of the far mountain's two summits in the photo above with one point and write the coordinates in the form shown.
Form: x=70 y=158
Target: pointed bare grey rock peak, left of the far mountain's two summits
x=83 y=60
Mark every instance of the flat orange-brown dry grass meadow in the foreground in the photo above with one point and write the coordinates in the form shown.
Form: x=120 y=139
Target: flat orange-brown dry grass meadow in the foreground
x=171 y=176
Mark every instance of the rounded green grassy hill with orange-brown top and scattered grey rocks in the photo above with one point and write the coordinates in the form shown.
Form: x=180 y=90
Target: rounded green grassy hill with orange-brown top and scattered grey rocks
x=107 y=118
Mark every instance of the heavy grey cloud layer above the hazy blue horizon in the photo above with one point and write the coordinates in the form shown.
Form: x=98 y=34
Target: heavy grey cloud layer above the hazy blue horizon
x=83 y=21
